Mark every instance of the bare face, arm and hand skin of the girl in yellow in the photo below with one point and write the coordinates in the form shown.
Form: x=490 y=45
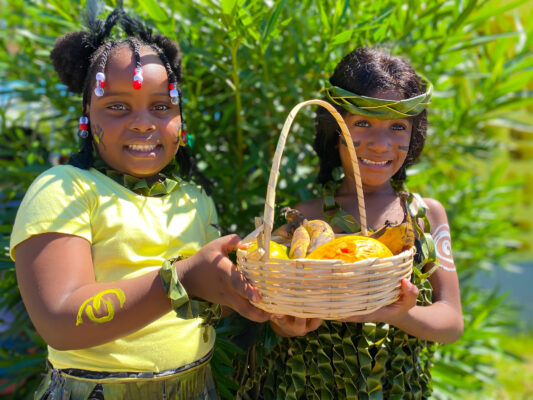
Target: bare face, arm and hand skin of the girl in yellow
x=55 y=271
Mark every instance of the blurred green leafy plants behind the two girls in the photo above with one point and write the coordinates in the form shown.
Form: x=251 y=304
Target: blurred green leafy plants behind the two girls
x=246 y=64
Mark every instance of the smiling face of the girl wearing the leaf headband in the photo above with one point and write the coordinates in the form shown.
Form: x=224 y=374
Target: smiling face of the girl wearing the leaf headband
x=381 y=145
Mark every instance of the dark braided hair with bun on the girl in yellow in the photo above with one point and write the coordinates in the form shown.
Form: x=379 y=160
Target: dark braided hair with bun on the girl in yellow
x=78 y=56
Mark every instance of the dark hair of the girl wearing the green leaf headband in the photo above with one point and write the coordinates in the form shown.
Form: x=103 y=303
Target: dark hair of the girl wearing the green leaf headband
x=365 y=71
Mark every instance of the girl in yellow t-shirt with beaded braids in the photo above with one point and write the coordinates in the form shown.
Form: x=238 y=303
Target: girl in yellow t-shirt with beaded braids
x=100 y=244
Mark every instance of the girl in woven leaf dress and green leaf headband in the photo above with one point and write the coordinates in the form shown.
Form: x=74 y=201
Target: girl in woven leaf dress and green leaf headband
x=385 y=354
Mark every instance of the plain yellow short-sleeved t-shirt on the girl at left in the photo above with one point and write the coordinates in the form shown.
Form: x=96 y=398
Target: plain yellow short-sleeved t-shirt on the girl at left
x=130 y=235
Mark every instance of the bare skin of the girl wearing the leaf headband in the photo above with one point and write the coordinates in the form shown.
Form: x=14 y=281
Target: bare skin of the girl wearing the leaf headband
x=381 y=151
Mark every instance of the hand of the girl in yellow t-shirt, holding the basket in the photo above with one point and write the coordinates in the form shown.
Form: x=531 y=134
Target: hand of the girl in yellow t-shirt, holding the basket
x=209 y=274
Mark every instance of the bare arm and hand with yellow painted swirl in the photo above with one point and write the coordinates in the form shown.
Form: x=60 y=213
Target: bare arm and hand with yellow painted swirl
x=56 y=280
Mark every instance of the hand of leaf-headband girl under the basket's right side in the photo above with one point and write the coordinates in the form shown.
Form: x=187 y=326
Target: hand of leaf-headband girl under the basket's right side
x=394 y=311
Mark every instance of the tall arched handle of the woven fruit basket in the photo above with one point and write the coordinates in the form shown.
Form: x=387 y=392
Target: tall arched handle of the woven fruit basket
x=274 y=172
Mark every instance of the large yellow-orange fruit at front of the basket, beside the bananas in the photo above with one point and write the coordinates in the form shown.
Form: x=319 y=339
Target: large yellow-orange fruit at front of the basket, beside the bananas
x=351 y=248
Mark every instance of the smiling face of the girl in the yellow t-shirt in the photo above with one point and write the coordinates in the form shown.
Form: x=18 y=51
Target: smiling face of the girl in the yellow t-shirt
x=136 y=132
